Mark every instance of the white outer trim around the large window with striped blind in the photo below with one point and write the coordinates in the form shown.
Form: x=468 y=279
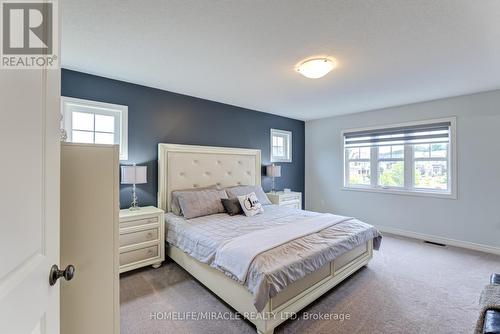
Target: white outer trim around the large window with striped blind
x=374 y=188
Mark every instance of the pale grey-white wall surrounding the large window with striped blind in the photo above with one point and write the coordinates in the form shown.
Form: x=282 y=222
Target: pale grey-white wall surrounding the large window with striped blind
x=474 y=217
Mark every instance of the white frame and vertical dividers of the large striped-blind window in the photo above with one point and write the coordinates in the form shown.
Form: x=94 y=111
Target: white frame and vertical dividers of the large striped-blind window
x=409 y=160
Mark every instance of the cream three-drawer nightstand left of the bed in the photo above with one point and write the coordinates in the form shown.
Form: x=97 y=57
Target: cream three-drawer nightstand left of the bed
x=142 y=238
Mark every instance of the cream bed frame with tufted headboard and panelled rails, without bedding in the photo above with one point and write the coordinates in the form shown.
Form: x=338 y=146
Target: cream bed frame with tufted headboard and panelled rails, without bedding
x=186 y=167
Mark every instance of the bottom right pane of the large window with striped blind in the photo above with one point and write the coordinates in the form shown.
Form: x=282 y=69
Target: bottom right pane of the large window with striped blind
x=431 y=175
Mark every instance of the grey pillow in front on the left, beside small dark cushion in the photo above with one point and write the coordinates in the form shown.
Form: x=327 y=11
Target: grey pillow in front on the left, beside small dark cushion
x=201 y=203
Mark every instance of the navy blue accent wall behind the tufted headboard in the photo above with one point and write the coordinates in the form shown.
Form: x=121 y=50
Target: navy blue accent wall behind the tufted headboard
x=158 y=116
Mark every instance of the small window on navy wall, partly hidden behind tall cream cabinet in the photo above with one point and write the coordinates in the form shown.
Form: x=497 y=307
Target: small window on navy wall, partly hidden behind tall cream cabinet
x=88 y=121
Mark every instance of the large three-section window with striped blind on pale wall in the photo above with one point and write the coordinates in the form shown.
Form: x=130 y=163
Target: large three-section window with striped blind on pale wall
x=416 y=158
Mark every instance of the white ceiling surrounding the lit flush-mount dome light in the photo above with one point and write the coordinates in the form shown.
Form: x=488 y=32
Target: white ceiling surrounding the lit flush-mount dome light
x=242 y=52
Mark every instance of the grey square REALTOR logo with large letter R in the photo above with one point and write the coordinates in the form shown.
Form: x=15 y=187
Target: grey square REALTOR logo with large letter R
x=29 y=34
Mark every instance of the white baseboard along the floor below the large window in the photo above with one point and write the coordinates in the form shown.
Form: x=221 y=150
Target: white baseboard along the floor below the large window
x=440 y=240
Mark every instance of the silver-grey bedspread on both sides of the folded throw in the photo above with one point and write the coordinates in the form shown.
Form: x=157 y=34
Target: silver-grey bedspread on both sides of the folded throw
x=275 y=269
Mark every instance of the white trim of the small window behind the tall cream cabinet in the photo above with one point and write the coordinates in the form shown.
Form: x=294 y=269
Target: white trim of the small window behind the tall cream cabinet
x=104 y=108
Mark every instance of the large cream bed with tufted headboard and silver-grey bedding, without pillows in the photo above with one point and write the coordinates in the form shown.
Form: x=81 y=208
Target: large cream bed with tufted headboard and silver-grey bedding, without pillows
x=308 y=267
